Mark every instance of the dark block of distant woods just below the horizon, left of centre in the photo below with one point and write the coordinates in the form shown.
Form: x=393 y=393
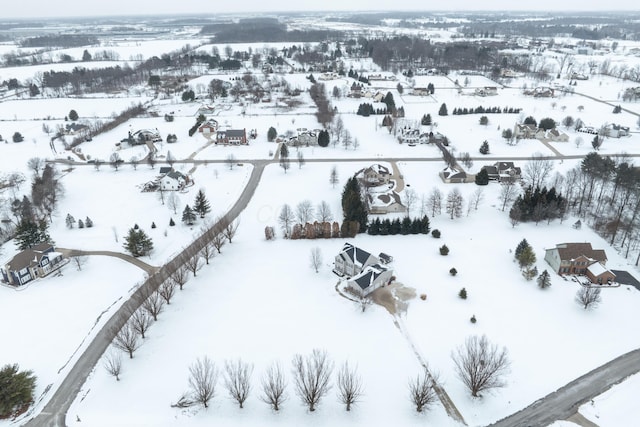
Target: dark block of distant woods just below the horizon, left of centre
x=264 y=30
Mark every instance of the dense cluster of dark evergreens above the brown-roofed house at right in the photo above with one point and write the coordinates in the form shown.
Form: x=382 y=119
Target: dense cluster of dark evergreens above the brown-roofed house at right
x=538 y=205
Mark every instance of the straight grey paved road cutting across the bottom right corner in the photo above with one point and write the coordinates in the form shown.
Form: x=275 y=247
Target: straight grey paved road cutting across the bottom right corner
x=565 y=402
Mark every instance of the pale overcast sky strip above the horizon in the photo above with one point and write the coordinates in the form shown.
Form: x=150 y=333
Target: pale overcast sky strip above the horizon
x=44 y=8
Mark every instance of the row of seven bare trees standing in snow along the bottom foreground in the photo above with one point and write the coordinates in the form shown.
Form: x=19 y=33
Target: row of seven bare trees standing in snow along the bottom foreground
x=480 y=364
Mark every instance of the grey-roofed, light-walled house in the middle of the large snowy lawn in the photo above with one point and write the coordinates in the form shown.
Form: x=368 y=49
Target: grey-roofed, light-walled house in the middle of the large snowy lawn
x=365 y=272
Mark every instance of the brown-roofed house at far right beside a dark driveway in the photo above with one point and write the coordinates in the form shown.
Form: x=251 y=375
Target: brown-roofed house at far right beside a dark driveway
x=579 y=259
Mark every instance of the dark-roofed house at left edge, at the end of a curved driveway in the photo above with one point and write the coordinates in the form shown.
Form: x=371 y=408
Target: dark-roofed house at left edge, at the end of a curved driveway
x=32 y=263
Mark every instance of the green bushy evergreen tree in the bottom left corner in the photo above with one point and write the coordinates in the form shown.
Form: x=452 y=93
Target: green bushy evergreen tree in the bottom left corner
x=16 y=390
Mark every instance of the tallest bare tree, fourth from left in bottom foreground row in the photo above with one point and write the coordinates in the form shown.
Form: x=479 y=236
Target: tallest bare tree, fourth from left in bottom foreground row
x=311 y=376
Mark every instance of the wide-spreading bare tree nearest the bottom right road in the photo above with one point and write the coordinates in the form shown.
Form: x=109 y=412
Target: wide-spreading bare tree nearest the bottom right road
x=480 y=364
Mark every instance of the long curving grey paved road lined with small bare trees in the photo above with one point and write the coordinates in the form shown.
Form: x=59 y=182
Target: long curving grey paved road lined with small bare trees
x=54 y=412
